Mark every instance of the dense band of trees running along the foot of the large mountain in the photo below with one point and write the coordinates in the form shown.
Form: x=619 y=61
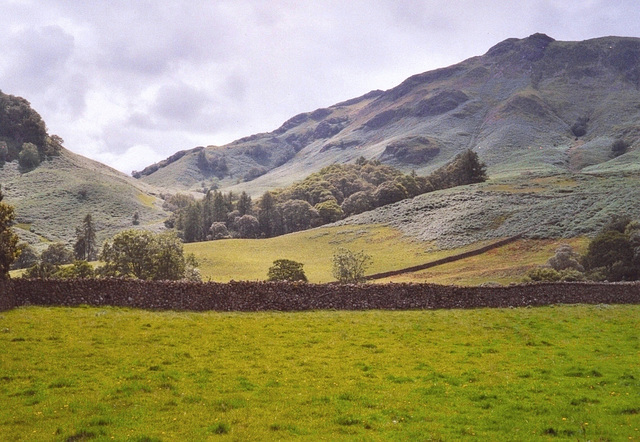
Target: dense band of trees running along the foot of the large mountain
x=331 y=194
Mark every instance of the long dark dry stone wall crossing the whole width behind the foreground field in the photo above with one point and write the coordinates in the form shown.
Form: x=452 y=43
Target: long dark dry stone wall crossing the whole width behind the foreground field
x=284 y=296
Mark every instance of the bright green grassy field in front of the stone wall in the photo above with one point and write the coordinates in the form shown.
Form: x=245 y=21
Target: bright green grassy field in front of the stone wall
x=563 y=372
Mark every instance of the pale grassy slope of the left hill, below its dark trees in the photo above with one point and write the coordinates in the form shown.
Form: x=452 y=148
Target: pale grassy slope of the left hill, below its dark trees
x=52 y=199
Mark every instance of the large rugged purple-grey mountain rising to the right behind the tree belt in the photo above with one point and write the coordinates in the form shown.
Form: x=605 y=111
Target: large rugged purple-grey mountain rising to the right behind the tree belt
x=527 y=105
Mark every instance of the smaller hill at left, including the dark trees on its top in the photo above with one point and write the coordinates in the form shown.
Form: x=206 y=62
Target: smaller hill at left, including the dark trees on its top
x=53 y=189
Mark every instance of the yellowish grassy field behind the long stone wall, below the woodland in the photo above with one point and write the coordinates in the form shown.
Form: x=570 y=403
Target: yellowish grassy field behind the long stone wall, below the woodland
x=247 y=259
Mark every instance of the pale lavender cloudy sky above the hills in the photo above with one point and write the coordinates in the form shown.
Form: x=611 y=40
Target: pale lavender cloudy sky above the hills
x=129 y=82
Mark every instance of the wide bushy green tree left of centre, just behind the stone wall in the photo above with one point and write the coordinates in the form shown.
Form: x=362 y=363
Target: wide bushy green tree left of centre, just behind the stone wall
x=143 y=255
